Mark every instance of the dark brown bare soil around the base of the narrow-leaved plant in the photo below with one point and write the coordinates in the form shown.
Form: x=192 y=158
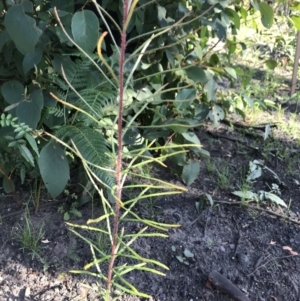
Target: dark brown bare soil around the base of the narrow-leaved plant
x=243 y=244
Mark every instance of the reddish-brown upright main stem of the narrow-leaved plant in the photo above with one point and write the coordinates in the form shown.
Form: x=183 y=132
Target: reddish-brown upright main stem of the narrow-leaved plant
x=119 y=158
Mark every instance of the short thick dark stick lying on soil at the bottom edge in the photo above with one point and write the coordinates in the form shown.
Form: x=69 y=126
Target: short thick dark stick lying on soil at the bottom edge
x=227 y=286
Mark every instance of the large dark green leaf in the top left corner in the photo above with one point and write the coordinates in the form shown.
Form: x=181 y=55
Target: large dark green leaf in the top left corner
x=22 y=28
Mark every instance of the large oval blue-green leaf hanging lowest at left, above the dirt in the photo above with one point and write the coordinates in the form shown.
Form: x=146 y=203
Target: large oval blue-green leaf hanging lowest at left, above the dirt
x=54 y=168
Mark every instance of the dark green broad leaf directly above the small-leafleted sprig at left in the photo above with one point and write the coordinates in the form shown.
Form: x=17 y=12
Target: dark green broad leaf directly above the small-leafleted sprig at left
x=29 y=110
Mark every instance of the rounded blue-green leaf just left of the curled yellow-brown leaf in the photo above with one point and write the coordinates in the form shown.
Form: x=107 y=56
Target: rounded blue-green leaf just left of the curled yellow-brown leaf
x=85 y=29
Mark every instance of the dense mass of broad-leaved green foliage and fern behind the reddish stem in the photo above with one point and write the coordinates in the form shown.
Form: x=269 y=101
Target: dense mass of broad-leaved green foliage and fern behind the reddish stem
x=170 y=89
